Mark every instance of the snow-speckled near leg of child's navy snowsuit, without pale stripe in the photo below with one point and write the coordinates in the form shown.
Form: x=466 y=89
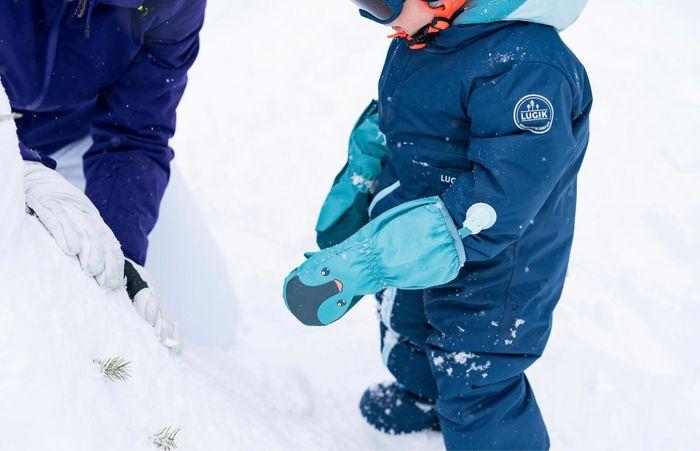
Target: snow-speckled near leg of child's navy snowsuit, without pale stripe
x=484 y=400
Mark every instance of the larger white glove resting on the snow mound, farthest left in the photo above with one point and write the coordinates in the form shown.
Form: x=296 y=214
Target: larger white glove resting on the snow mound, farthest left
x=75 y=224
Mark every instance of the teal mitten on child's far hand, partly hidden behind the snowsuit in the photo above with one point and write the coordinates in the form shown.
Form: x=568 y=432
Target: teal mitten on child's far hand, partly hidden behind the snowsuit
x=345 y=208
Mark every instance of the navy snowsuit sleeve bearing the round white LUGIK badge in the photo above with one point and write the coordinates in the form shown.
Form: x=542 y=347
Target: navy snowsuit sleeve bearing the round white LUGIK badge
x=517 y=157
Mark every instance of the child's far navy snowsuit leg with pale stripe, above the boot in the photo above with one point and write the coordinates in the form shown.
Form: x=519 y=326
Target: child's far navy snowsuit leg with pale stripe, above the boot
x=404 y=330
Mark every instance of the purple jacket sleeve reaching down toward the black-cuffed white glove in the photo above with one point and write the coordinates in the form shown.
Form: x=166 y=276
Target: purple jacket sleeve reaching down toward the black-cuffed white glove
x=128 y=167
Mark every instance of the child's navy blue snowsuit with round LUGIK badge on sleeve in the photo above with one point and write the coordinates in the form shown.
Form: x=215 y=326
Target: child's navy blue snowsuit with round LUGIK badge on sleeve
x=495 y=113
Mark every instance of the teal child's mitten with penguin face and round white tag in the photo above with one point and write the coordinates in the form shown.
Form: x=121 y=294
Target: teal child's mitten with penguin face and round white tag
x=413 y=246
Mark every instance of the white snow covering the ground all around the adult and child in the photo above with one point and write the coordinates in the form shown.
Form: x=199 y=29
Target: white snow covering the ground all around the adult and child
x=262 y=131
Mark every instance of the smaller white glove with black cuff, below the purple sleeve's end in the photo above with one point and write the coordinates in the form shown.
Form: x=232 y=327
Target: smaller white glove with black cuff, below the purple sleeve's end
x=139 y=286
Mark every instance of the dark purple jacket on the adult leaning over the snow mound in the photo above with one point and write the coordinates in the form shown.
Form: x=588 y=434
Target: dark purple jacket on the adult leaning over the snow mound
x=114 y=69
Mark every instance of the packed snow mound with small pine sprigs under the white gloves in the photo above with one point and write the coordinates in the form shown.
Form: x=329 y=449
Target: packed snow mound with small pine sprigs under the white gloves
x=56 y=325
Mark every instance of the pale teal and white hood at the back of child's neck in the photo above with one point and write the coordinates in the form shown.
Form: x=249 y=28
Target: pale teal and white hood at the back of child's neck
x=559 y=14
